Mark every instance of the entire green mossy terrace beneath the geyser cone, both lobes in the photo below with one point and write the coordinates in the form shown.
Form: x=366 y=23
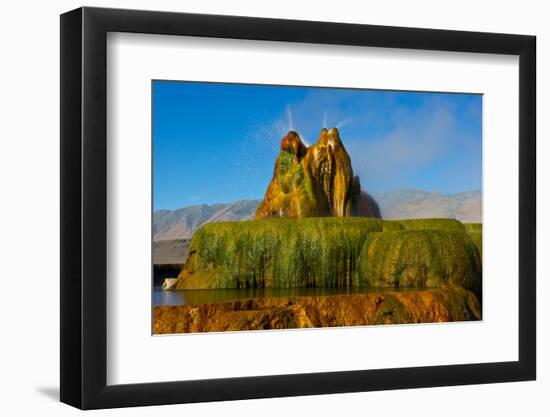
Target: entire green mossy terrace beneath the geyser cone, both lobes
x=332 y=252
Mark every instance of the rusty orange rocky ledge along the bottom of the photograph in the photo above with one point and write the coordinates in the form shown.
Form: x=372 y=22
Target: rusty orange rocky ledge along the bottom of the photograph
x=399 y=307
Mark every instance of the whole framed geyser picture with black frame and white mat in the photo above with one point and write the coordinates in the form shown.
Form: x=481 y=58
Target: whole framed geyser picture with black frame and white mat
x=257 y=208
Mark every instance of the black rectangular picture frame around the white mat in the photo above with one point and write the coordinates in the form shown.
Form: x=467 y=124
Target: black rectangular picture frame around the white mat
x=84 y=207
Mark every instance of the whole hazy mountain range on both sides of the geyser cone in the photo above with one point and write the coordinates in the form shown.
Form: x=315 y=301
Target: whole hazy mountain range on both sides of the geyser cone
x=396 y=204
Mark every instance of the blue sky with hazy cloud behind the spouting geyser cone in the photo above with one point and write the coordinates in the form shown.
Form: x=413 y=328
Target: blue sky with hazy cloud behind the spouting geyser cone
x=217 y=143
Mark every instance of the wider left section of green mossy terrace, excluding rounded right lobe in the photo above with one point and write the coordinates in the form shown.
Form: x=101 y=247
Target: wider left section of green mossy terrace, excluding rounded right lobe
x=309 y=252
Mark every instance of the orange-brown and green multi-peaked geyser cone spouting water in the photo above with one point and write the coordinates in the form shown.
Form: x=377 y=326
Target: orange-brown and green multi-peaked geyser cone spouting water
x=315 y=182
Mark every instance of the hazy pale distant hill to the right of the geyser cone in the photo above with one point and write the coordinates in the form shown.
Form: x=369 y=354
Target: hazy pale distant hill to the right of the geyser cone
x=417 y=204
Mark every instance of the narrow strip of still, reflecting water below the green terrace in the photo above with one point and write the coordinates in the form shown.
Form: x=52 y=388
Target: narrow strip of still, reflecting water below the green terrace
x=161 y=297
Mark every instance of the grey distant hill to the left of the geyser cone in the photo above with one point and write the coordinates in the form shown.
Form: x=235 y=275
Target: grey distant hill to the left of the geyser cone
x=182 y=223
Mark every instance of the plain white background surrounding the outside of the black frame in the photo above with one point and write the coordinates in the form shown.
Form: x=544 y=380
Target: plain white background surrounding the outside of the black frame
x=29 y=209
